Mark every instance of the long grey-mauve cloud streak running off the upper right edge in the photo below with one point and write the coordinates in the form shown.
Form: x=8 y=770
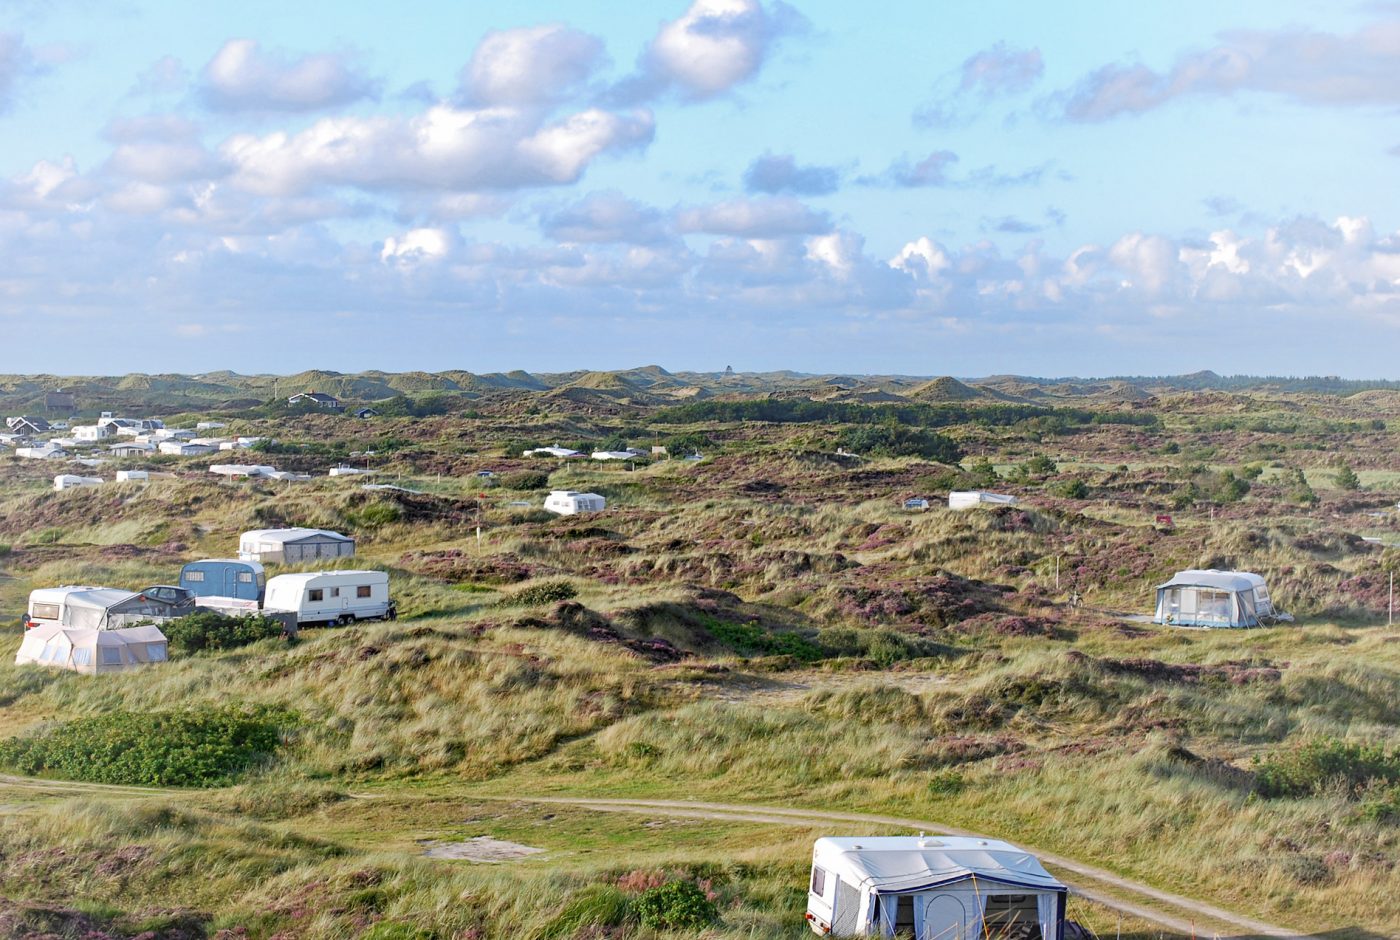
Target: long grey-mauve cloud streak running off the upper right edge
x=1303 y=65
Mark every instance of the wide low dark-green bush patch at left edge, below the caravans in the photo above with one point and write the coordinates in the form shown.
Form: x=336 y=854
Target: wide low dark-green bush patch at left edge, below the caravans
x=187 y=749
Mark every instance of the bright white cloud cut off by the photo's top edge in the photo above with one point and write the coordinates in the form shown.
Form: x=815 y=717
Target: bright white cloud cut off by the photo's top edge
x=712 y=48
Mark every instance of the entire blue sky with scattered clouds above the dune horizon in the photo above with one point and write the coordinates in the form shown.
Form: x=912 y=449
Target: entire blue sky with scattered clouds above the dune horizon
x=911 y=188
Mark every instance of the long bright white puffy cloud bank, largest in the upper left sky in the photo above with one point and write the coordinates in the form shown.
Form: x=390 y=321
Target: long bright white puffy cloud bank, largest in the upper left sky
x=446 y=148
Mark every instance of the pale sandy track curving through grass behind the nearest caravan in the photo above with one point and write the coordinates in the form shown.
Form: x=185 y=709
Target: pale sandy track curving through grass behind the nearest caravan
x=1182 y=915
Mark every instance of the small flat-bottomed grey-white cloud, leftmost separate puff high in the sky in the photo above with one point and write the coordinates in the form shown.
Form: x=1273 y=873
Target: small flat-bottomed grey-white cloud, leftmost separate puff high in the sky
x=243 y=76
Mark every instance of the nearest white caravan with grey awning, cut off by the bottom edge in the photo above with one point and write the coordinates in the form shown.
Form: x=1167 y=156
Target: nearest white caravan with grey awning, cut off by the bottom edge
x=934 y=889
